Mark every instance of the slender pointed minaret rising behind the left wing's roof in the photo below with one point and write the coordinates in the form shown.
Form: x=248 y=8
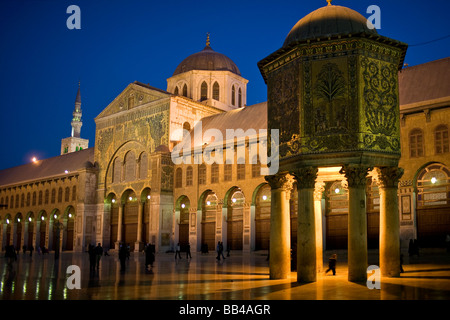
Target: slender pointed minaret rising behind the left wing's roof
x=75 y=142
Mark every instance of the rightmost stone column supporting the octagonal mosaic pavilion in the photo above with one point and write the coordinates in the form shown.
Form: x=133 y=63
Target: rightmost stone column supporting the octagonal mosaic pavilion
x=388 y=178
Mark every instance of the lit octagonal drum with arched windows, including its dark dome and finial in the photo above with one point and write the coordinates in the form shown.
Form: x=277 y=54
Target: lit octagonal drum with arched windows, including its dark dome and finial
x=211 y=78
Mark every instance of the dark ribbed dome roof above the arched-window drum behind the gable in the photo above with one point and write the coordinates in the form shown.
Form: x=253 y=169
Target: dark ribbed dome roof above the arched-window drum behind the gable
x=207 y=59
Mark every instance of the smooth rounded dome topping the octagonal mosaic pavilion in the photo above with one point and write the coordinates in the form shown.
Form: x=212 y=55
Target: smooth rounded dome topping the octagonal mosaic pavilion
x=328 y=21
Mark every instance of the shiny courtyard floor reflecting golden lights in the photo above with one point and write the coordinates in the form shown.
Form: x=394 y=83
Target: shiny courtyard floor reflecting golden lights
x=239 y=277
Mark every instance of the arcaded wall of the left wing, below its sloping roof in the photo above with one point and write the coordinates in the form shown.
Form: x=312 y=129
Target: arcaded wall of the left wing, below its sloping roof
x=72 y=193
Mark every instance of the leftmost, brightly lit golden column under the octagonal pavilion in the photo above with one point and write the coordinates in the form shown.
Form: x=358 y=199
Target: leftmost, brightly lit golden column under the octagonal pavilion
x=279 y=251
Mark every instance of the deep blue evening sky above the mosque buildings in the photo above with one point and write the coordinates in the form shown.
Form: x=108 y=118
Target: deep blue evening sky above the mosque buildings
x=41 y=60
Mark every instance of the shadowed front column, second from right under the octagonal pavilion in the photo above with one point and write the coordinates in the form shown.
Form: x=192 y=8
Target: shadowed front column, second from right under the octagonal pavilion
x=357 y=221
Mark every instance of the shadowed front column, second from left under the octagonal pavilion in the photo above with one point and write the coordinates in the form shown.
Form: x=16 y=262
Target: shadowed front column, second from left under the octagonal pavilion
x=306 y=230
